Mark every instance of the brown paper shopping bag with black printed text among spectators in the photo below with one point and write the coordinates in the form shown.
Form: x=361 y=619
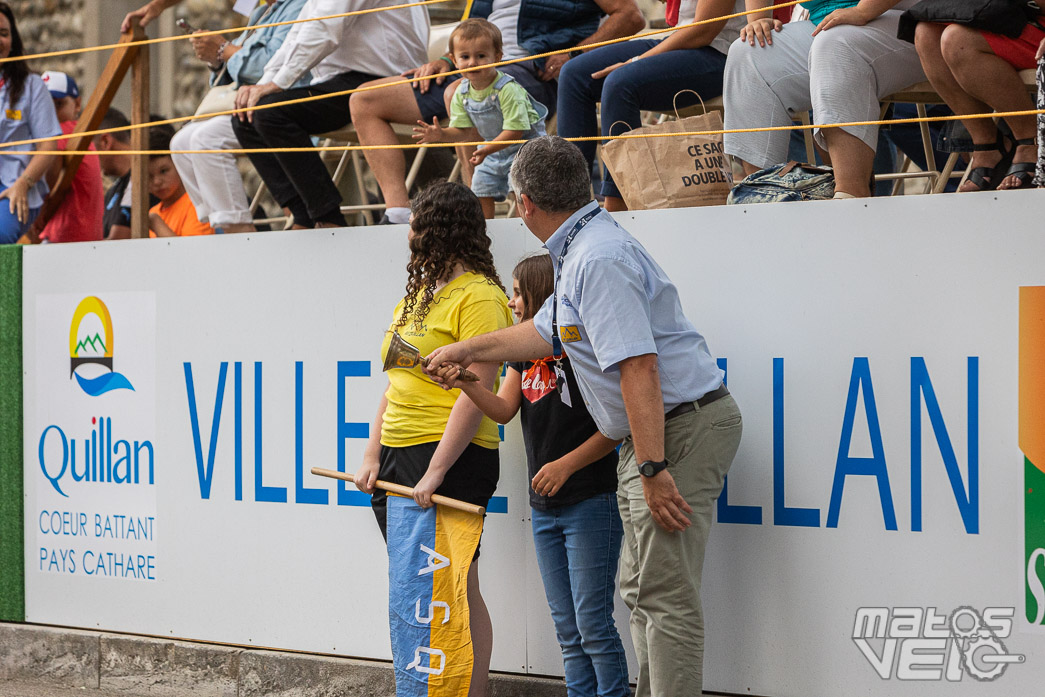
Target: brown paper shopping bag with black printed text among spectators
x=671 y=172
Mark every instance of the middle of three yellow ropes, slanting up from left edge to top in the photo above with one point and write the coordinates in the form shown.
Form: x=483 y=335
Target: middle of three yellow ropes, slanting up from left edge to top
x=408 y=81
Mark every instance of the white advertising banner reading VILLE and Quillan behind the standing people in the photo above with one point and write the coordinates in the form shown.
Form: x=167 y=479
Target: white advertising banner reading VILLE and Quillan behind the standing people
x=879 y=535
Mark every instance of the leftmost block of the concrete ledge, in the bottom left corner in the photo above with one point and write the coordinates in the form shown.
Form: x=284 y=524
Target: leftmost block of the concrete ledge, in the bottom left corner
x=55 y=657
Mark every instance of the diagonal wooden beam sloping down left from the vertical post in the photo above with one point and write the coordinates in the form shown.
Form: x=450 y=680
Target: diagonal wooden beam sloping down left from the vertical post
x=98 y=106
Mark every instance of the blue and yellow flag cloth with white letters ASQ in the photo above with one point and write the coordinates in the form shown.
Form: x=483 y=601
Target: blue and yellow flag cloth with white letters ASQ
x=430 y=552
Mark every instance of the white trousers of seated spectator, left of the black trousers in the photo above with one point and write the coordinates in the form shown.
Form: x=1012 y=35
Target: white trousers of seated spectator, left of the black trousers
x=213 y=181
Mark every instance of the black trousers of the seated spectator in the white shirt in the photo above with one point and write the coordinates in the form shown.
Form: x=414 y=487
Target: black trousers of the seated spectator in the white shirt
x=300 y=181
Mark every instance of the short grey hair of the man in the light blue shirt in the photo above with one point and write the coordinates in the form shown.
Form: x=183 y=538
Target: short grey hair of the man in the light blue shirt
x=554 y=174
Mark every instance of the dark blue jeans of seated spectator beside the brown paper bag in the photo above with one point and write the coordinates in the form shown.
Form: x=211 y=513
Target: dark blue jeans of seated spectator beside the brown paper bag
x=649 y=84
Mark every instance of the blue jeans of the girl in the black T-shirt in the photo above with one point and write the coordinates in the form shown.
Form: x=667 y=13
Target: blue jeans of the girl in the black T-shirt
x=578 y=549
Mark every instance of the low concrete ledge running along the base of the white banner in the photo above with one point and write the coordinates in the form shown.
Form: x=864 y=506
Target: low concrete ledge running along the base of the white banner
x=129 y=666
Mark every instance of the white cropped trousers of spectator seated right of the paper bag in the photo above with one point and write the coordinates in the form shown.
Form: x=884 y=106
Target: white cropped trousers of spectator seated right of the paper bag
x=842 y=75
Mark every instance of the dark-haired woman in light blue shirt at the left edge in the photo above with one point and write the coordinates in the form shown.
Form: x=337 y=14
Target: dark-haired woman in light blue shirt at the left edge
x=27 y=112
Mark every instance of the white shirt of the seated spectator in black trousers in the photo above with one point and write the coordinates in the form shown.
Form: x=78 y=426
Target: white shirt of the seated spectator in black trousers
x=385 y=43
